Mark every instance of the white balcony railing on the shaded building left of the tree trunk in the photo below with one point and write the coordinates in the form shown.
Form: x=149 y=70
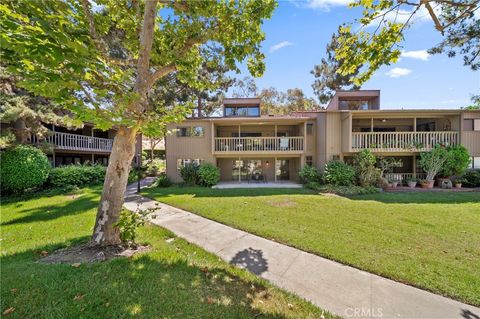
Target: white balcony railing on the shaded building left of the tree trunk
x=75 y=142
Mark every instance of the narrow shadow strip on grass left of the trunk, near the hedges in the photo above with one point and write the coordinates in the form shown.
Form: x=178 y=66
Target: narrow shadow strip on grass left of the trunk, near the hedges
x=79 y=205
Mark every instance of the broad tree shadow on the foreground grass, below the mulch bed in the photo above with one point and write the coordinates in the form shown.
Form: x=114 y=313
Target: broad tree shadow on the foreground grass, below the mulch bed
x=151 y=285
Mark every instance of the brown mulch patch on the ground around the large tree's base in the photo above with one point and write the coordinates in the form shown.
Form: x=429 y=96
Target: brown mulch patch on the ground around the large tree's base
x=86 y=253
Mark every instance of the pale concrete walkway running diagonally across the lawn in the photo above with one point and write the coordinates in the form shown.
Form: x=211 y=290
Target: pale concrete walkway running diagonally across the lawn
x=340 y=289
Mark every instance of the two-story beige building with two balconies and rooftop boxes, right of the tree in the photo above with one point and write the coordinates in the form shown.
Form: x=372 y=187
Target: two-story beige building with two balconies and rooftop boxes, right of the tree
x=246 y=146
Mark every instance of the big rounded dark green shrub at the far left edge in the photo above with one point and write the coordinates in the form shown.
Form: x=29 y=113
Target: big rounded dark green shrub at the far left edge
x=23 y=167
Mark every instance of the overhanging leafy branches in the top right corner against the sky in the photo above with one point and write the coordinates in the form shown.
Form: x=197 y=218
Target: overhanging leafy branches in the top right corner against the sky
x=382 y=27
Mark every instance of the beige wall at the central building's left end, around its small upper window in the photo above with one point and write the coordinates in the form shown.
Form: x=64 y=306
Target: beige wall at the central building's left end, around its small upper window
x=187 y=147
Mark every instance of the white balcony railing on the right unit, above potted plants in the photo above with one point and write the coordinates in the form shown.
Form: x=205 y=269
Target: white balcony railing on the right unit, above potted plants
x=402 y=141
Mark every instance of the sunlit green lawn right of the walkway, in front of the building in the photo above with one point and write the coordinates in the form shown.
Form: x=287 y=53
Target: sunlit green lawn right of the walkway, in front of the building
x=430 y=240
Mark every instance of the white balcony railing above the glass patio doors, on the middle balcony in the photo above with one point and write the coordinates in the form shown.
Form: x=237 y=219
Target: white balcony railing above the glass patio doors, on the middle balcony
x=259 y=144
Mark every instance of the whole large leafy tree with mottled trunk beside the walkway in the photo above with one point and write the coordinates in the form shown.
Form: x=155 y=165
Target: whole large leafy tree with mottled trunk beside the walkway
x=106 y=60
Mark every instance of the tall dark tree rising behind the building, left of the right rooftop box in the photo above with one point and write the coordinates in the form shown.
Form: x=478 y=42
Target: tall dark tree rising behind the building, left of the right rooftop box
x=327 y=78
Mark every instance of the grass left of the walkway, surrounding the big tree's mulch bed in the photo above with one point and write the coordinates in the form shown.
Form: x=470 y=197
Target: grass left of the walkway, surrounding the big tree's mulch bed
x=173 y=280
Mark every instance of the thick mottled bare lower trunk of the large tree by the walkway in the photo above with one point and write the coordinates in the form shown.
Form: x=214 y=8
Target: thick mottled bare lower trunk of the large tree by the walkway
x=105 y=232
